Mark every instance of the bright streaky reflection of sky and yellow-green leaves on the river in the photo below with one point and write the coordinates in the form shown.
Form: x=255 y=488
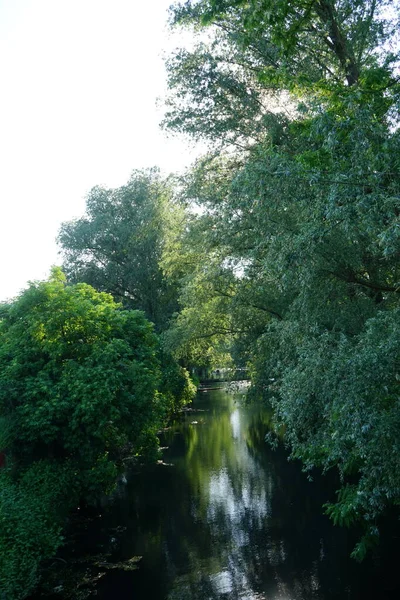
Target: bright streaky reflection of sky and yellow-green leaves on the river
x=235 y=491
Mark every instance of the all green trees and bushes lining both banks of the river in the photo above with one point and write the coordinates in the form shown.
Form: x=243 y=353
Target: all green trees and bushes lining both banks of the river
x=277 y=253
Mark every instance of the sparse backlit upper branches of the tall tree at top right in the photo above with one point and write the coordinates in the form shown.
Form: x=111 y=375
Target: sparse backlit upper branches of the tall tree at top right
x=229 y=87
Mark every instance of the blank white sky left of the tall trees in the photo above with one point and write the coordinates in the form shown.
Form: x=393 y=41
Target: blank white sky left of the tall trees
x=79 y=81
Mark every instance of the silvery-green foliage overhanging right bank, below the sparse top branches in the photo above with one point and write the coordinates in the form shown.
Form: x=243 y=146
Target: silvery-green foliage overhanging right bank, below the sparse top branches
x=316 y=299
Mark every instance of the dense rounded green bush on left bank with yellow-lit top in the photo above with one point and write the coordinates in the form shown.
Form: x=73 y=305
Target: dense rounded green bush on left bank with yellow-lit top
x=78 y=390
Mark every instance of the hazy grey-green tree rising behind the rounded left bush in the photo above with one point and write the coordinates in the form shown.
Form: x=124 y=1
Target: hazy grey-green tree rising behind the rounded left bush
x=117 y=246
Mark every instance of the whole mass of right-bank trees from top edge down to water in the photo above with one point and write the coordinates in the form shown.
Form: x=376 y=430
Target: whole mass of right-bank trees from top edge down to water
x=294 y=252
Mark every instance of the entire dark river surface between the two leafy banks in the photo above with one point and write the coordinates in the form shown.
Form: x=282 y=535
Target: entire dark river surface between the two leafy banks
x=229 y=518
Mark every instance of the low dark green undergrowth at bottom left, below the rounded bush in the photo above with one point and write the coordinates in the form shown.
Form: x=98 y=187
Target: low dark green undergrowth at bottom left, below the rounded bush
x=32 y=517
